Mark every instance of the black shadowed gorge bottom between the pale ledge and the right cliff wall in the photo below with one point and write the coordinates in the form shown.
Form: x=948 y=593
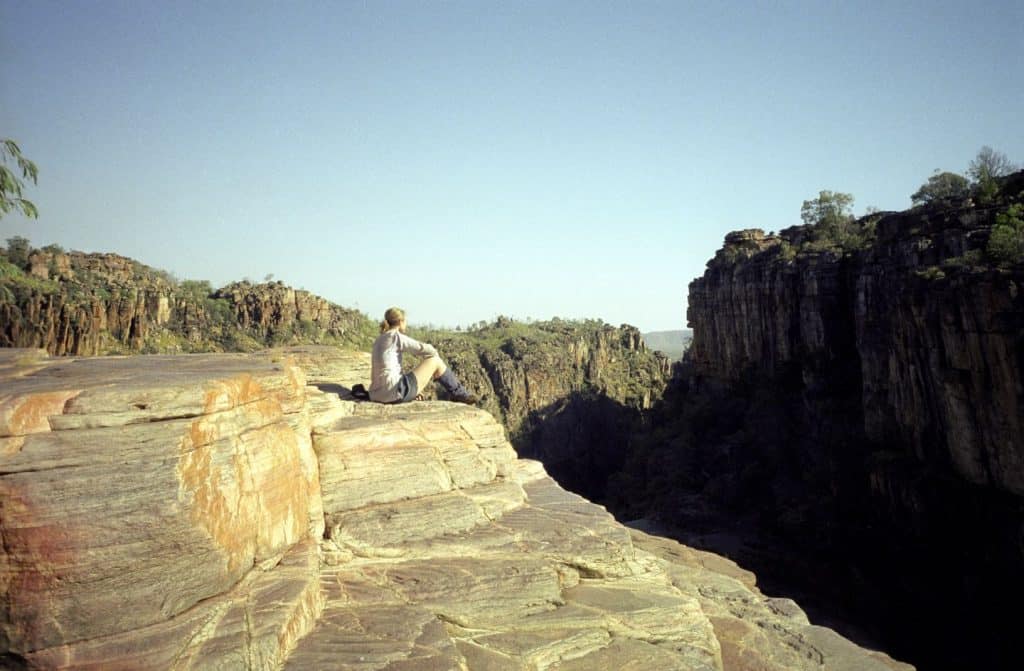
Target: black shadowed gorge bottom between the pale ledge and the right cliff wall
x=748 y=473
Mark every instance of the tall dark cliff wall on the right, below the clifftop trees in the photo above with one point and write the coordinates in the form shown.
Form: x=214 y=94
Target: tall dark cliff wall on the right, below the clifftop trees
x=878 y=401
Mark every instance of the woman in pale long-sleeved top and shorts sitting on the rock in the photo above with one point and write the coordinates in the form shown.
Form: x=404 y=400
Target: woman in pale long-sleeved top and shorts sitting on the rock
x=389 y=385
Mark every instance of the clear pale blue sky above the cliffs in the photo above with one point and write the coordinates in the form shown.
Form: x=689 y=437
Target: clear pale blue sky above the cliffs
x=465 y=160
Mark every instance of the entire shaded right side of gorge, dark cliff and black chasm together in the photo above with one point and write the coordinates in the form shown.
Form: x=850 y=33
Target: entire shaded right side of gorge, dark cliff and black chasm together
x=847 y=425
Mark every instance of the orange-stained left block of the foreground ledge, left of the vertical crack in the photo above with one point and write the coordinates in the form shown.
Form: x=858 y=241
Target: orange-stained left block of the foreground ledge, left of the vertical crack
x=141 y=495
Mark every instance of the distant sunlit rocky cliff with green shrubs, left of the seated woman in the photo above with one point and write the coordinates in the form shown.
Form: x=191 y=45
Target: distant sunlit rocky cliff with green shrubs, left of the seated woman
x=79 y=304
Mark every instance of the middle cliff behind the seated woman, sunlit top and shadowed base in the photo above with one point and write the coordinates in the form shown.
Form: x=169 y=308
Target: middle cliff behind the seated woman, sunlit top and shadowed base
x=570 y=394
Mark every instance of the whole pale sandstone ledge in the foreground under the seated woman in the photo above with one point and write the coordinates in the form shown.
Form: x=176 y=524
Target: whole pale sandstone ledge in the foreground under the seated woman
x=230 y=512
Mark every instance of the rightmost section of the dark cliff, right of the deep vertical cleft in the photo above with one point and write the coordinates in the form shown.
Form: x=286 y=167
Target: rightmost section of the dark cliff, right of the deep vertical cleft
x=943 y=358
